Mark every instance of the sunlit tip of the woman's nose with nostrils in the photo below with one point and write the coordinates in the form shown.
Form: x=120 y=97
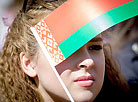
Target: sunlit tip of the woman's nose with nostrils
x=87 y=64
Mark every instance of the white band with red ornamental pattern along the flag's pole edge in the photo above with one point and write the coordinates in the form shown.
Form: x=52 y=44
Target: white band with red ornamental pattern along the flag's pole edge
x=49 y=42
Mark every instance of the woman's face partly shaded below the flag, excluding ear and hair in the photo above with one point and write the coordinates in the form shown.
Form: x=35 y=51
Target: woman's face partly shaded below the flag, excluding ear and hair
x=82 y=73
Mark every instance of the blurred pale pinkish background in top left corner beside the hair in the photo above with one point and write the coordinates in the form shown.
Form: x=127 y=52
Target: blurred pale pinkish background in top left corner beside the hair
x=8 y=11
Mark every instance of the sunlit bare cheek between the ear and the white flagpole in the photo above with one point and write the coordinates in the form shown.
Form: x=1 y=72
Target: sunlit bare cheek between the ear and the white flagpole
x=47 y=78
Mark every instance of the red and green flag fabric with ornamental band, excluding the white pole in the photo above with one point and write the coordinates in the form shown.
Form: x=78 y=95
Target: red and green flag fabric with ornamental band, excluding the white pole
x=74 y=23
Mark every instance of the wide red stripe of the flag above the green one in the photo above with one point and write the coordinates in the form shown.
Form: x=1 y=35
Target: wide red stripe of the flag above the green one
x=74 y=14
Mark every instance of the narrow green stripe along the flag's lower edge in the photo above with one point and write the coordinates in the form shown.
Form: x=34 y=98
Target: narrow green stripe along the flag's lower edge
x=98 y=25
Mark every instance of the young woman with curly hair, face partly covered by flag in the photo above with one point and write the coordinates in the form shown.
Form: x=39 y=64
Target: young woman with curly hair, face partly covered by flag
x=26 y=76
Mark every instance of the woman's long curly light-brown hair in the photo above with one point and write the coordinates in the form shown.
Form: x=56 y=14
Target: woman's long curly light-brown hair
x=15 y=85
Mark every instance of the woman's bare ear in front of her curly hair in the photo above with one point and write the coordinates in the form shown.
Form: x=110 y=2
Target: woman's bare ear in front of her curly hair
x=27 y=65
